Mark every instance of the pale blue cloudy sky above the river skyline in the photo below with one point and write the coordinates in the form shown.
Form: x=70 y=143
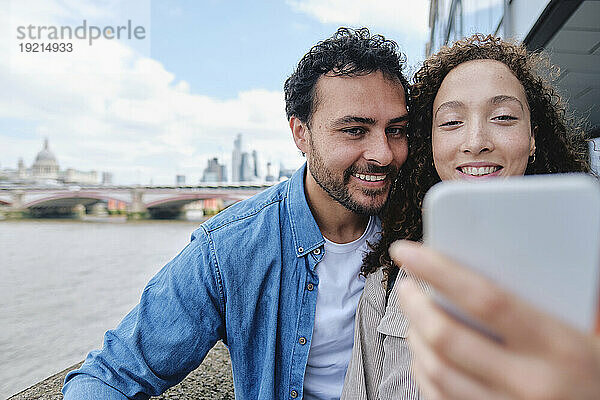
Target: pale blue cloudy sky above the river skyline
x=206 y=70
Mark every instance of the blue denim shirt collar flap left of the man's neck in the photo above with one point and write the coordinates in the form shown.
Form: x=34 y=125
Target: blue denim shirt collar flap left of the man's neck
x=305 y=231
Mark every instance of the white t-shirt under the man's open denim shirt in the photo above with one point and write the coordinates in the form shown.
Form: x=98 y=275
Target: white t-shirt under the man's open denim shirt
x=339 y=289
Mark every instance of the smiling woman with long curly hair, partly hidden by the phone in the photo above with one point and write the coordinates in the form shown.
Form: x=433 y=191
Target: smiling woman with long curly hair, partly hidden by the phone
x=479 y=109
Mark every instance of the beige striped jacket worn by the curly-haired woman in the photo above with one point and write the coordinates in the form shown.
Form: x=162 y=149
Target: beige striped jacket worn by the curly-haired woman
x=381 y=360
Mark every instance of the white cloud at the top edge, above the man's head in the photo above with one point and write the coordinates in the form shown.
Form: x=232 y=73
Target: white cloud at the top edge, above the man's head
x=392 y=15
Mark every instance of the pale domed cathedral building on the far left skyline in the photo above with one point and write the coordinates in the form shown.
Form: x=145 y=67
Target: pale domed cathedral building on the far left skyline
x=45 y=169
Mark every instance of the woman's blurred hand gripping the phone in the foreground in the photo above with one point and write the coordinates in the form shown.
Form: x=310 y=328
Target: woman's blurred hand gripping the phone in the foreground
x=539 y=357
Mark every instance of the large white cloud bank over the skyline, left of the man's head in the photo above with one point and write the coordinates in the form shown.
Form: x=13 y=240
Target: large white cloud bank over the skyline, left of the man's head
x=112 y=109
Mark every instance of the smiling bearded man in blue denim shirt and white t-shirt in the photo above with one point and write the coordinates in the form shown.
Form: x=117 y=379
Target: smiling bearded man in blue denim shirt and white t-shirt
x=276 y=277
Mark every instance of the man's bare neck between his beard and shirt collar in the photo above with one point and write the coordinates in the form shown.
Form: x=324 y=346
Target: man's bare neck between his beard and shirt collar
x=336 y=222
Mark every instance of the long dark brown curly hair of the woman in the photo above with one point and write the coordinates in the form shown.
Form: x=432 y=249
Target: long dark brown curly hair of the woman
x=560 y=143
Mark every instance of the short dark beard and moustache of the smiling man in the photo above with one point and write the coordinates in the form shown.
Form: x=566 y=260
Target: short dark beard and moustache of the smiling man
x=339 y=190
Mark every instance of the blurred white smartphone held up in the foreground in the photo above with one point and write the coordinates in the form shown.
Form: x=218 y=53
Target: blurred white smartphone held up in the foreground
x=536 y=236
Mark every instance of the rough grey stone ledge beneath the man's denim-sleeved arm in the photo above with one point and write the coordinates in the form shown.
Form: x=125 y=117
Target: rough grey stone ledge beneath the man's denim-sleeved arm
x=211 y=380
